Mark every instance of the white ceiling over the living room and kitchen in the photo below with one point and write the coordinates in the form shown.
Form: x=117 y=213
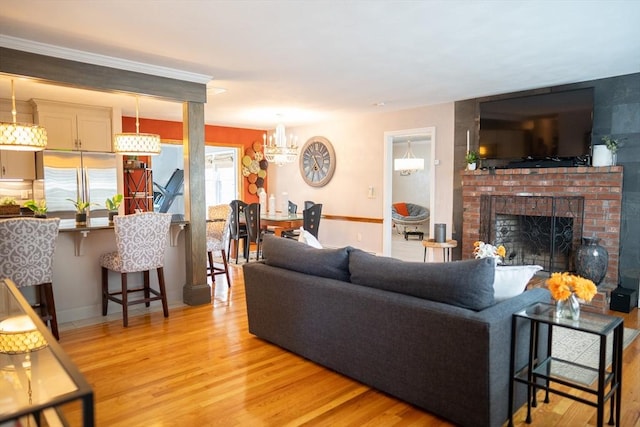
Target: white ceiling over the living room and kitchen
x=304 y=62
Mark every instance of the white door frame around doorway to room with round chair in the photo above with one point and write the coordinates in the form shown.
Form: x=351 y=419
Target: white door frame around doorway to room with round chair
x=388 y=180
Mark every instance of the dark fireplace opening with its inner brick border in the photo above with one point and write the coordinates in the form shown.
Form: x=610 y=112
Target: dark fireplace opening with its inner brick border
x=534 y=229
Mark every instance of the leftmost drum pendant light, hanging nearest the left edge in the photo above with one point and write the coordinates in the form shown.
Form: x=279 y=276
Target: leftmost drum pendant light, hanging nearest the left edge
x=21 y=136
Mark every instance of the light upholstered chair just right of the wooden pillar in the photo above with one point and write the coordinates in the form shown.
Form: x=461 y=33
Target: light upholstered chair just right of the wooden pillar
x=217 y=230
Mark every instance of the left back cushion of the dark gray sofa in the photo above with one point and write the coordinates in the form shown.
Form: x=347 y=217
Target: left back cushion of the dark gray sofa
x=297 y=256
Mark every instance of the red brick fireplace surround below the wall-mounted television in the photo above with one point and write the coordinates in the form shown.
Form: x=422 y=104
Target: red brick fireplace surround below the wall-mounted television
x=599 y=188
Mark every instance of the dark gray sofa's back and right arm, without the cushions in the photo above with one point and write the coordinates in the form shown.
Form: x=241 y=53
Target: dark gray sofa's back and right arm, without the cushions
x=449 y=360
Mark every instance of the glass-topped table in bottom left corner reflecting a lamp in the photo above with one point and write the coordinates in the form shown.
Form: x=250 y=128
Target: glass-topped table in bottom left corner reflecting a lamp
x=37 y=379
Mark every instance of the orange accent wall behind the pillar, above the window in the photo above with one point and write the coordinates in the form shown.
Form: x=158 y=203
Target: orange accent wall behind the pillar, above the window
x=169 y=130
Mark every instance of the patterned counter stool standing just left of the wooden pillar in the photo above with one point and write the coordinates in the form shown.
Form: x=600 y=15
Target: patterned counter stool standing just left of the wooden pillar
x=141 y=240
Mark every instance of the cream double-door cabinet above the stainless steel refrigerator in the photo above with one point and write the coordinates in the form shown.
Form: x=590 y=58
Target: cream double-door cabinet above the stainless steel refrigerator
x=73 y=126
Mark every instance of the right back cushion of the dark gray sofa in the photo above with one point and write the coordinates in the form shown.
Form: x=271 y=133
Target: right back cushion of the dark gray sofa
x=467 y=284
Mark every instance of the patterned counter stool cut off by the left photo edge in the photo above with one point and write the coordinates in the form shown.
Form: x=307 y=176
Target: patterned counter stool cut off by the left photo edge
x=27 y=246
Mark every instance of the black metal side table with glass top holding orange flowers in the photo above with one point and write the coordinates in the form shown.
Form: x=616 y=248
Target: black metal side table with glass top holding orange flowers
x=541 y=370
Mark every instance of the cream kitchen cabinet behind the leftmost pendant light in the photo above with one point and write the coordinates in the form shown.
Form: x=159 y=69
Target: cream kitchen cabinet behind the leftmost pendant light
x=16 y=164
